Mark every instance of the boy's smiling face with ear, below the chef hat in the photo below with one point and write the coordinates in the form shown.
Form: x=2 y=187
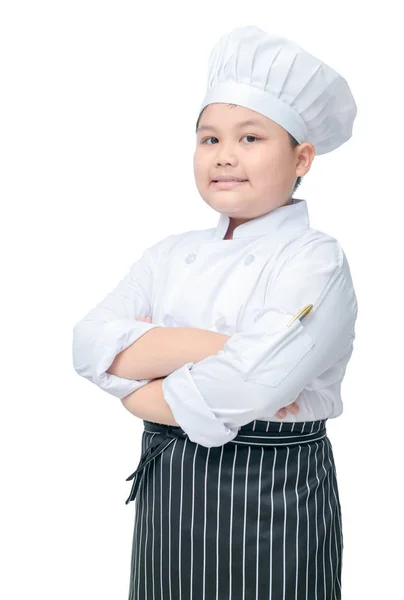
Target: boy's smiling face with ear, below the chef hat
x=267 y=160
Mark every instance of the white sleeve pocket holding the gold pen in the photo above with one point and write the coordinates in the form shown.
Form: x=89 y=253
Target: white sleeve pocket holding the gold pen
x=270 y=359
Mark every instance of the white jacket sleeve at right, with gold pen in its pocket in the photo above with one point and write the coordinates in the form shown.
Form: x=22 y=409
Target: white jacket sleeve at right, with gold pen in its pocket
x=265 y=368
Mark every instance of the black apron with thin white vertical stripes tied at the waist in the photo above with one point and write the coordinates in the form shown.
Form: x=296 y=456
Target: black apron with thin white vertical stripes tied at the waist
x=258 y=518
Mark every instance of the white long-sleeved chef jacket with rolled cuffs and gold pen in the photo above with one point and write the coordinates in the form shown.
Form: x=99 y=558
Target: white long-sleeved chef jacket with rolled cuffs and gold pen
x=249 y=288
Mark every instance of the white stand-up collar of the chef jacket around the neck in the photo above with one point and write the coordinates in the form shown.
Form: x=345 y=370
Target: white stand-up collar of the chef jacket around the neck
x=285 y=218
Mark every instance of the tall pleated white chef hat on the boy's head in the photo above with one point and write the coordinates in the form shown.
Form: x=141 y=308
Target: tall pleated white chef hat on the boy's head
x=277 y=78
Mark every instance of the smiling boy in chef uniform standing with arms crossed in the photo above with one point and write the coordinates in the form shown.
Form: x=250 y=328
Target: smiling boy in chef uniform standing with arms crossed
x=245 y=318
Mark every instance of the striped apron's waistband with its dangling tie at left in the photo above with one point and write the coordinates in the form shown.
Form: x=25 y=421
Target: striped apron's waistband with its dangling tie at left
x=166 y=434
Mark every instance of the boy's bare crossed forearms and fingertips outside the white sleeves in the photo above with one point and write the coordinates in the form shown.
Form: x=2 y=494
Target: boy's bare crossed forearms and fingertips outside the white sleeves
x=155 y=355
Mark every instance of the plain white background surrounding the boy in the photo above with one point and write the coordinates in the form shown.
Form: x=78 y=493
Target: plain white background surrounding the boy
x=99 y=102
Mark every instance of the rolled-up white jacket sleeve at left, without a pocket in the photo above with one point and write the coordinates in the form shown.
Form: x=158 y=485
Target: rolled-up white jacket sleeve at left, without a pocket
x=111 y=327
